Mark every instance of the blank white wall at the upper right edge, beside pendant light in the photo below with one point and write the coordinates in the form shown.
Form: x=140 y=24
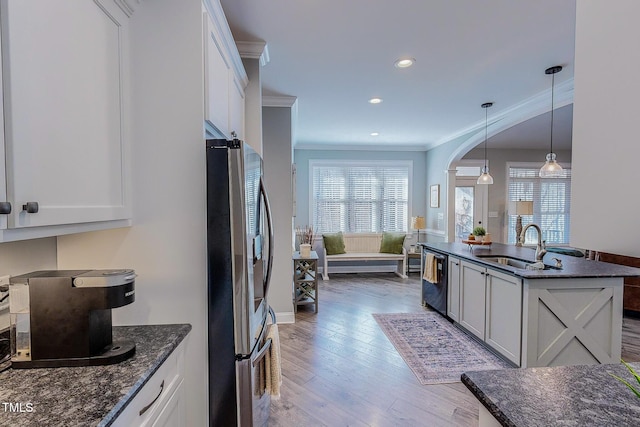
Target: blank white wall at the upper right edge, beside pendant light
x=605 y=203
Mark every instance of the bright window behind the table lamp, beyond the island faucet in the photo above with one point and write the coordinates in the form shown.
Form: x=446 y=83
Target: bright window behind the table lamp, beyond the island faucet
x=551 y=202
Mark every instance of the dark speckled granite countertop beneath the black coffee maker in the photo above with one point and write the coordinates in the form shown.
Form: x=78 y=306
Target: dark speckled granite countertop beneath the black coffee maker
x=87 y=396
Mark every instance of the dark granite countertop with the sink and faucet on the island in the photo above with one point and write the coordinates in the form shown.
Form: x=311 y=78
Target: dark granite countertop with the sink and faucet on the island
x=573 y=267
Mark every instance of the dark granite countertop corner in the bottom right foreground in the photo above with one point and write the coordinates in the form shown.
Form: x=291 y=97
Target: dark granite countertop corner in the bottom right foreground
x=584 y=395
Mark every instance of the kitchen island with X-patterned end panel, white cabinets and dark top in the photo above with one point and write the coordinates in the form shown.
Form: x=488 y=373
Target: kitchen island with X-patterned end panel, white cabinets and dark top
x=569 y=313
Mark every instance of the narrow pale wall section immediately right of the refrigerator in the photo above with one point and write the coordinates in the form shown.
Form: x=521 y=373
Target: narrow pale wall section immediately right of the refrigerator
x=277 y=141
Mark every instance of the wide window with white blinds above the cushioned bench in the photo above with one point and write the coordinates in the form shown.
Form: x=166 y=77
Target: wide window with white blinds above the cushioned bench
x=360 y=197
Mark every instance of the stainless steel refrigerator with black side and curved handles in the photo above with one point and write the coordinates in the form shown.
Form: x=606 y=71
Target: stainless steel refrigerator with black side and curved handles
x=239 y=259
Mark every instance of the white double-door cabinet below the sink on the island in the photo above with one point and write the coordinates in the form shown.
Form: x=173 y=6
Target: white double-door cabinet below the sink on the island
x=491 y=308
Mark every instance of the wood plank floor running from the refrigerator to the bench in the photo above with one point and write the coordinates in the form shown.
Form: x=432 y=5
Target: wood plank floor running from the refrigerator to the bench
x=339 y=369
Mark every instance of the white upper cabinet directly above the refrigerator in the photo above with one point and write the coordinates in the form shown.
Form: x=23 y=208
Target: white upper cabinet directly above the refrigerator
x=224 y=76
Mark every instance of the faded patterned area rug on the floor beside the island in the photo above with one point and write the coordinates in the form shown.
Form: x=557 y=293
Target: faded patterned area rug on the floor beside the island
x=436 y=351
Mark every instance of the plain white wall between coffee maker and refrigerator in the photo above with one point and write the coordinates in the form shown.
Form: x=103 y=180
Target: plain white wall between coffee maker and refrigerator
x=167 y=244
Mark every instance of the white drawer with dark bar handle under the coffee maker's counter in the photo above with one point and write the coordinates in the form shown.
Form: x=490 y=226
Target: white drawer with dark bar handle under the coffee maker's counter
x=155 y=394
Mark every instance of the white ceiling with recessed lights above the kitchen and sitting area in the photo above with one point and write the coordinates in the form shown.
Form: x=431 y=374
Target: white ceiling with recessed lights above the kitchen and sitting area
x=333 y=55
